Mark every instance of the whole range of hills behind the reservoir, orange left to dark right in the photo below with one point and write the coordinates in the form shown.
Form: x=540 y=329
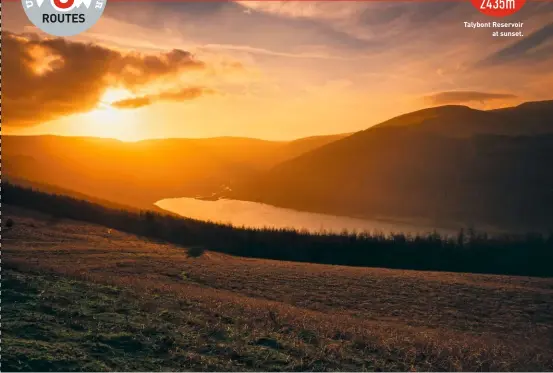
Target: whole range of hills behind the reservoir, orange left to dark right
x=448 y=164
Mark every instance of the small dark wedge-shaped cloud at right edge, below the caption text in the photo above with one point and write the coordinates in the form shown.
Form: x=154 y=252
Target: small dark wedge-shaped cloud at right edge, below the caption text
x=528 y=47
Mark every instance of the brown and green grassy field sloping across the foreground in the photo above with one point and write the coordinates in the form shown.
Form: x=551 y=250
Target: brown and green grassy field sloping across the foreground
x=78 y=296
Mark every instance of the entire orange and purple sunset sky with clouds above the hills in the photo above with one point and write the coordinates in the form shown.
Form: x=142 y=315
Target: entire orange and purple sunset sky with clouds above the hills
x=271 y=70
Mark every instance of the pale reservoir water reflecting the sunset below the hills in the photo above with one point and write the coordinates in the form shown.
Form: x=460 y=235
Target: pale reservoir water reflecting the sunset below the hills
x=259 y=215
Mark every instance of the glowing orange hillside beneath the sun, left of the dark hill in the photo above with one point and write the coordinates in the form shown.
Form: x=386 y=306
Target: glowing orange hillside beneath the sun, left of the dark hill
x=140 y=173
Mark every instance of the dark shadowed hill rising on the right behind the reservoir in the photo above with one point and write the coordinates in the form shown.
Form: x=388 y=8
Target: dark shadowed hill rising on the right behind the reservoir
x=445 y=163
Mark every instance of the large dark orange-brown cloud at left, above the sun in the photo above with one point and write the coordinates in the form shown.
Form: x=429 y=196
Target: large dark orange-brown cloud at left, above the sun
x=46 y=78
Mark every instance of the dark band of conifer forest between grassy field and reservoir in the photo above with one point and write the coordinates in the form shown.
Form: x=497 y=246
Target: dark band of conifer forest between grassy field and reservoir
x=468 y=252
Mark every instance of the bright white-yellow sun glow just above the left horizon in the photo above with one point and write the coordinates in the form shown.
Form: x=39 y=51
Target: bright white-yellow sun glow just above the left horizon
x=107 y=121
